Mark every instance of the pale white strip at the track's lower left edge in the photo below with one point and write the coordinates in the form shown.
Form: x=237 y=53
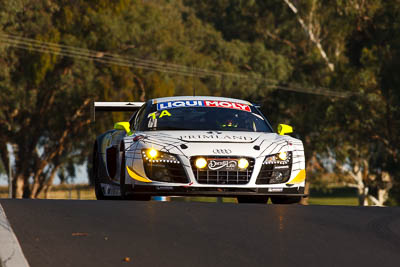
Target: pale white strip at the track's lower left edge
x=10 y=251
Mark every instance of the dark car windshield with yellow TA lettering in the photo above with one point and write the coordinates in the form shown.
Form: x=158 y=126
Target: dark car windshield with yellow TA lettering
x=230 y=118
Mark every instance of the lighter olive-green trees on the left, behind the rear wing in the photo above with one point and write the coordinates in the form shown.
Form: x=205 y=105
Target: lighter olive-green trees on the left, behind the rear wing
x=45 y=97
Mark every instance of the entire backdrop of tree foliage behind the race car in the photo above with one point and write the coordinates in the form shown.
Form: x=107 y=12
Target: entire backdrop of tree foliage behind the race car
x=349 y=46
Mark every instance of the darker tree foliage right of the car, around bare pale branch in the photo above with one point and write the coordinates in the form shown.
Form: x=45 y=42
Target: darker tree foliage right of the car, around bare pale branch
x=359 y=38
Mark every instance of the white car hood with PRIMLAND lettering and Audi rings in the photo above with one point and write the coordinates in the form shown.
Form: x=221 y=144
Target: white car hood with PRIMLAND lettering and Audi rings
x=229 y=143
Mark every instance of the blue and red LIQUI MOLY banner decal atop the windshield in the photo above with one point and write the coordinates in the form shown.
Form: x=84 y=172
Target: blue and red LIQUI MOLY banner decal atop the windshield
x=203 y=103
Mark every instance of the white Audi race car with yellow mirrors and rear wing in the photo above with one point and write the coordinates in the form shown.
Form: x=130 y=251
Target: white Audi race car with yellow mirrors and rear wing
x=197 y=146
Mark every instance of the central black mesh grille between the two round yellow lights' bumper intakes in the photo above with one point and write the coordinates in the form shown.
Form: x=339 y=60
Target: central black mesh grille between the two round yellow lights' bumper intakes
x=206 y=176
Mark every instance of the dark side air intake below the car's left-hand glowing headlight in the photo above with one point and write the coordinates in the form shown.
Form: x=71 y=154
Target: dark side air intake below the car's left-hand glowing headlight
x=165 y=172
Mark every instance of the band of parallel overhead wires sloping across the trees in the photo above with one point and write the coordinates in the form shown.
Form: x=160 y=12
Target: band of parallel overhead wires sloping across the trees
x=151 y=65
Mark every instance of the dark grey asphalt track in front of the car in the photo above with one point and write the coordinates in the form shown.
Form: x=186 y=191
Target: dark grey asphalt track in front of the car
x=104 y=233
